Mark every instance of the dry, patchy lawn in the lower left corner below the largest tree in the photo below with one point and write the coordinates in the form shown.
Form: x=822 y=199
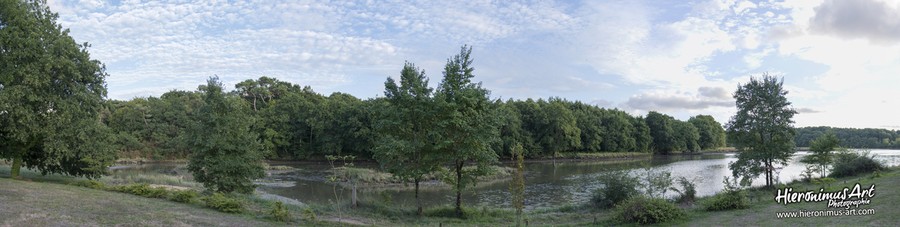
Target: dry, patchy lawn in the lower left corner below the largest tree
x=27 y=203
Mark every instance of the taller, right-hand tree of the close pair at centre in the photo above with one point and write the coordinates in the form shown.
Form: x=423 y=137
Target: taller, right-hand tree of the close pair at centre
x=466 y=125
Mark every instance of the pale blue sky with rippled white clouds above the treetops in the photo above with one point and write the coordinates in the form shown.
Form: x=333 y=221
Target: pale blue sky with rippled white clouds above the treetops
x=839 y=60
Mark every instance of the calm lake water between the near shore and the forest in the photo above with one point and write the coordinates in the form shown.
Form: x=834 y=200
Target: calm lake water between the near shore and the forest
x=548 y=184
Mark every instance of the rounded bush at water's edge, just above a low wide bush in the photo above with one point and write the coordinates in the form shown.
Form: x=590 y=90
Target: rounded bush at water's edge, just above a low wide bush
x=618 y=186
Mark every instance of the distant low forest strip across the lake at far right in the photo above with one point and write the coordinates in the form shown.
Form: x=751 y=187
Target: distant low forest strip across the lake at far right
x=852 y=137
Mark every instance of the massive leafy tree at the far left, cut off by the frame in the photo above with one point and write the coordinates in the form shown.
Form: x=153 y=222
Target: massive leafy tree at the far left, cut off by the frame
x=51 y=95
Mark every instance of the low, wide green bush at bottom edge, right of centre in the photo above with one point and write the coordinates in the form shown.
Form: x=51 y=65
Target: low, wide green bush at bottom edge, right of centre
x=643 y=210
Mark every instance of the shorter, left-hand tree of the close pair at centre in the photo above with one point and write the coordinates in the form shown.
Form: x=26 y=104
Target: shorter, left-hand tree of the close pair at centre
x=405 y=143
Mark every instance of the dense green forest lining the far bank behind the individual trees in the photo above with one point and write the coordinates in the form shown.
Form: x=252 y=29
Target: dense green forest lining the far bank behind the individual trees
x=296 y=123
